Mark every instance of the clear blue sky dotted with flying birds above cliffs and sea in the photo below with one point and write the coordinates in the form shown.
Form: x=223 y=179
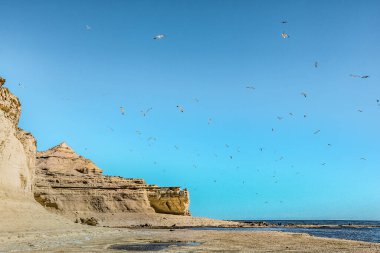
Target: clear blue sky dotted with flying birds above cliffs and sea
x=73 y=81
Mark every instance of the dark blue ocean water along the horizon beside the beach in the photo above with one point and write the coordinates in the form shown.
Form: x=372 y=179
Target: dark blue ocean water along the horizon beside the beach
x=366 y=234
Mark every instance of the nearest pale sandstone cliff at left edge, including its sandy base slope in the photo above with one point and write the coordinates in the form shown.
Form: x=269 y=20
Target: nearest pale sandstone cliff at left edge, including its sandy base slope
x=18 y=210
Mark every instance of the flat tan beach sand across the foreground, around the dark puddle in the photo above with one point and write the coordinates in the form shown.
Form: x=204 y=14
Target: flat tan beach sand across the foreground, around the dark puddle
x=97 y=239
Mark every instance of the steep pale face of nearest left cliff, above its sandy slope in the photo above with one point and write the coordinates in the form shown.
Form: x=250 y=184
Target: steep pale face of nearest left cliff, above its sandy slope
x=17 y=147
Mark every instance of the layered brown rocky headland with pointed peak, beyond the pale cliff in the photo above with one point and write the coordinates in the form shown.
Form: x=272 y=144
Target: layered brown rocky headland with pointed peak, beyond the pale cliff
x=73 y=185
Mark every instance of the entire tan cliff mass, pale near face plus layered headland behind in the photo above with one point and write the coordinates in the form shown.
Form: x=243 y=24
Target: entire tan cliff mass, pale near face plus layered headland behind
x=69 y=184
